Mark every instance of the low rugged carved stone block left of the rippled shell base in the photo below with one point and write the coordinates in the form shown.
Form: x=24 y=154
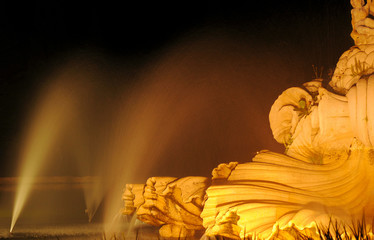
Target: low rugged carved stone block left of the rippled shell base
x=173 y=204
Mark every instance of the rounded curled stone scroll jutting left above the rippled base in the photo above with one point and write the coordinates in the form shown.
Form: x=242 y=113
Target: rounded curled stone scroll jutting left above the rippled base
x=287 y=111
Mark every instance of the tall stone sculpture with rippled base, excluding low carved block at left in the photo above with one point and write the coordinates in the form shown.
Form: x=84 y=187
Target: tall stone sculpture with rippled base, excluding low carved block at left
x=327 y=168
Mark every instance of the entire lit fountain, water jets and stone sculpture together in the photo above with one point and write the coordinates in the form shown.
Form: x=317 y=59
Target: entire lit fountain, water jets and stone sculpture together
x=327 y=134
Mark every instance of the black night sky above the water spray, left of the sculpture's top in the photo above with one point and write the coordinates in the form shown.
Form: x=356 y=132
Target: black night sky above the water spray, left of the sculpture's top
x=37 y=36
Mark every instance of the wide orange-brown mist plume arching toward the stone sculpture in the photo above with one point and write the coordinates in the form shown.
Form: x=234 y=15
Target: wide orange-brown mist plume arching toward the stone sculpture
x=201 y=103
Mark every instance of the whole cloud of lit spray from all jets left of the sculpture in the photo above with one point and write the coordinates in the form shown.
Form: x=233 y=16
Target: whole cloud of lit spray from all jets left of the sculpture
x=198 y=103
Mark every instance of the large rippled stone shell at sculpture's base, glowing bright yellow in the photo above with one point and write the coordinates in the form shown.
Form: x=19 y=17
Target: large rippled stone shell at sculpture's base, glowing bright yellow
x=276 y=188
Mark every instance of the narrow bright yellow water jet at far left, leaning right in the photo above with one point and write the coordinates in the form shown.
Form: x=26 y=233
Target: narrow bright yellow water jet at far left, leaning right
x=55 y=110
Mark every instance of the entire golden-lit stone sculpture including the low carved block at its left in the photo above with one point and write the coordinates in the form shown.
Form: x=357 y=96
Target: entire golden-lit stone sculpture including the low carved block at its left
x=326 y=172
